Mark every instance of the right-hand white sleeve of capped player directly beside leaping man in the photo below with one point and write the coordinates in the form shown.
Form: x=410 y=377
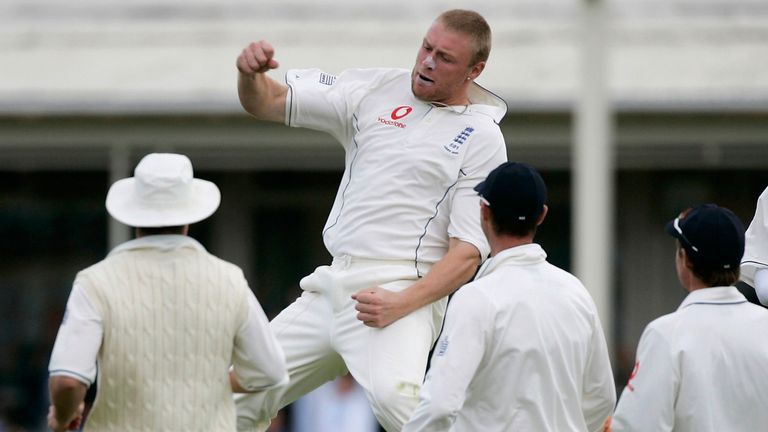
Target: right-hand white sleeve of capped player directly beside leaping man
x=599 y=397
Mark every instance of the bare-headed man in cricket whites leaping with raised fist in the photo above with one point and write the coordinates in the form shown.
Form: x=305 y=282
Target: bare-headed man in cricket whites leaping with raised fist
x=403 y=230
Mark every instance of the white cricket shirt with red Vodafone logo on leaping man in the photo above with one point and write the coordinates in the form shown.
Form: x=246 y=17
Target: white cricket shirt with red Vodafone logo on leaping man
x=410 y=166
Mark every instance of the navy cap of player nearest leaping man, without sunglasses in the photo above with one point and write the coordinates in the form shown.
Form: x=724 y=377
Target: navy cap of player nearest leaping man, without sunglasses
x=514 y=191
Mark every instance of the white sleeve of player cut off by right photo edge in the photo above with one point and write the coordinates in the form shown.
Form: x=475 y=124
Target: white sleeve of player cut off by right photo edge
x=756 y=242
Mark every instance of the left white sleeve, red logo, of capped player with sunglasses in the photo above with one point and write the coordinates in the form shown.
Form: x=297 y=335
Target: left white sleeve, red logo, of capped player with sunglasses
x=648 y=400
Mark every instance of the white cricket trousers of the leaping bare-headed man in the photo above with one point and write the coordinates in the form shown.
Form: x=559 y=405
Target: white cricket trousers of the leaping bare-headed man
x=323 y=339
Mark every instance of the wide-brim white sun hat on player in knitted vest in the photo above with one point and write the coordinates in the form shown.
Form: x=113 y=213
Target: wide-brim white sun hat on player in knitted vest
x=162 y=193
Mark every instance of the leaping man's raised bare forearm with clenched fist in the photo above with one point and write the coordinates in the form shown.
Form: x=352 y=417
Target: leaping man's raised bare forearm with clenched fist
x=260 y=95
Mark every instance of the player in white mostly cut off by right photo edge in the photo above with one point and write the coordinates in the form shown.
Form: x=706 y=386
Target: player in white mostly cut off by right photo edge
x=754 y=264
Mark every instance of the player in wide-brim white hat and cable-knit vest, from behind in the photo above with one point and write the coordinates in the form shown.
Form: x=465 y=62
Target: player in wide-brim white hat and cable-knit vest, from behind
x=161 y=318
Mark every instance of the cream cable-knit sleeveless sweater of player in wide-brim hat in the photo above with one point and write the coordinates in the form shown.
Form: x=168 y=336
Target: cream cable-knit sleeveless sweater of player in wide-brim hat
x=170 y=320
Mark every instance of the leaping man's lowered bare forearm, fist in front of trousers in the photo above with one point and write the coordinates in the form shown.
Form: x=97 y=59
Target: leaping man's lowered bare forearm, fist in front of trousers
x=378 y=307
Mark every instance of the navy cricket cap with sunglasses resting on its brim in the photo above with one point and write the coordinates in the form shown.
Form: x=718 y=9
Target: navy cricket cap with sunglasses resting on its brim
x=713 y=236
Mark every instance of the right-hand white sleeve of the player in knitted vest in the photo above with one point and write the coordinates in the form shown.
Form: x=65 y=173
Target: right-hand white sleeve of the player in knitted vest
x=258 y=360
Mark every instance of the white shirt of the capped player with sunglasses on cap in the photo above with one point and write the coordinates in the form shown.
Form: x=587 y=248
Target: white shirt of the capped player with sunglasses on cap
x=703 y=368
